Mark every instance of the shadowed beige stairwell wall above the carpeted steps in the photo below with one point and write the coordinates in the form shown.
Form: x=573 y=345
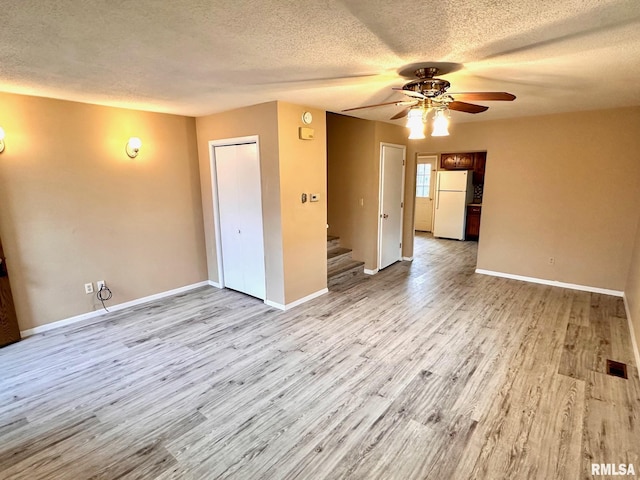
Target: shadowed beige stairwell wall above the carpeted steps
x=353 y=181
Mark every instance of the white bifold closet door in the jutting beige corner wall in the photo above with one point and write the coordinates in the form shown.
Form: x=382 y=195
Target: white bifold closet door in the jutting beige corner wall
x=240 y=218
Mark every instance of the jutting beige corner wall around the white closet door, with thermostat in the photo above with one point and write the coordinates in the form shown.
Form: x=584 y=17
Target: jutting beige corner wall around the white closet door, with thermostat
x=289 y=166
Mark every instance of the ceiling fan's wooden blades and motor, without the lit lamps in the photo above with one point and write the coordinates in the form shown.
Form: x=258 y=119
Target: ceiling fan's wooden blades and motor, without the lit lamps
x=428 y=92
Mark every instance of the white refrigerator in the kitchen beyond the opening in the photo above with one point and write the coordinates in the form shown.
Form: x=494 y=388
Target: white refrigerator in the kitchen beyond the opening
x=454 y=191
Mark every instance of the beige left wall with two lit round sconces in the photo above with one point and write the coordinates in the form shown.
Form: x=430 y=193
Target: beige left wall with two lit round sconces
x=75 y=209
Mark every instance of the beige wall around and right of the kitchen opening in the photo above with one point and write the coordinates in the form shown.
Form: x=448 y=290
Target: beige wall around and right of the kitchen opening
x=563 y=186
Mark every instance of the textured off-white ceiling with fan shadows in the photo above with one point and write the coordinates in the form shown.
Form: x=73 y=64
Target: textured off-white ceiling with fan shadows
x=196 y=57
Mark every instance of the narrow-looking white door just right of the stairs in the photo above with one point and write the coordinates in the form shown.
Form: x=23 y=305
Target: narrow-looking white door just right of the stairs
x=391 y=204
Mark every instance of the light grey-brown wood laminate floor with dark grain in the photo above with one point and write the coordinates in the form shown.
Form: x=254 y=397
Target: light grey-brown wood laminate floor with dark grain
x=423 y=371
